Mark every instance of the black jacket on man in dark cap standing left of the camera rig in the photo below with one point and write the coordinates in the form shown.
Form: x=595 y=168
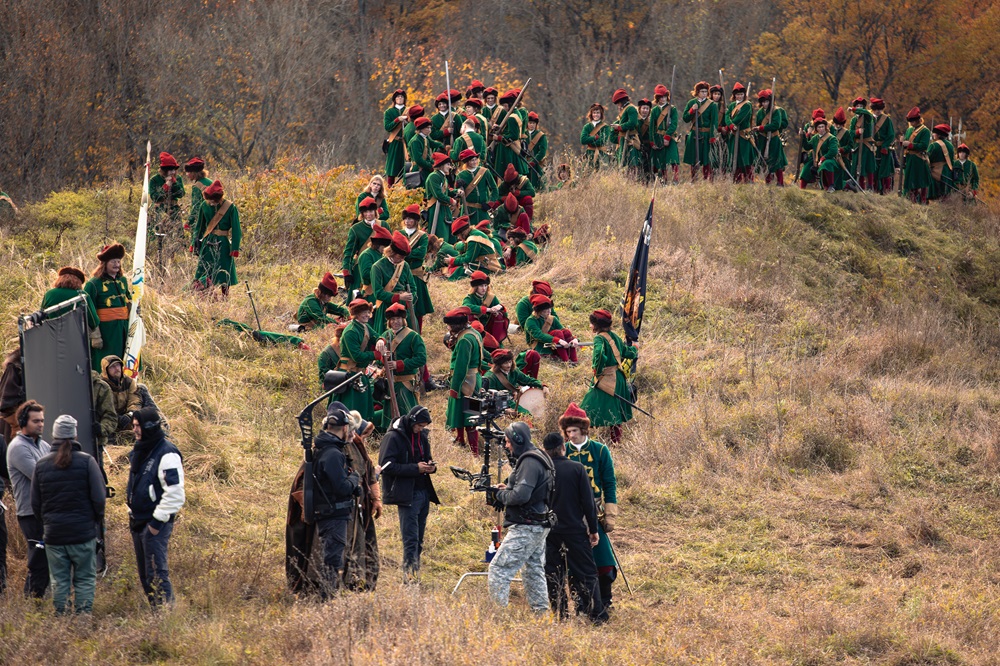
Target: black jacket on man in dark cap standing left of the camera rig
x=404 y=450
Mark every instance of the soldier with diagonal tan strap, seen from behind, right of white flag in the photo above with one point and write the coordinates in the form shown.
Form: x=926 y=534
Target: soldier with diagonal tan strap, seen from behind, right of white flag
x=217 y=236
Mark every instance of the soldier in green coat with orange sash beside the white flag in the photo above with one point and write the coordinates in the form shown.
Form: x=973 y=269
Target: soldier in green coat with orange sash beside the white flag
x=110 y=292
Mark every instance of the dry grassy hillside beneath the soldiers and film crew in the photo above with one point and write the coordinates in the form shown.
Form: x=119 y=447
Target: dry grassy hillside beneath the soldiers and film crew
x=819 y=484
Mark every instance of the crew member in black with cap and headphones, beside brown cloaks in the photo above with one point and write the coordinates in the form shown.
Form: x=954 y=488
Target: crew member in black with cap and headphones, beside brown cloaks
x=335 y=495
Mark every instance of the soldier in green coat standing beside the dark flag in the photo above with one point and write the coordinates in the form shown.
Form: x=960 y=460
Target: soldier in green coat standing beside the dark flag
x=600 y=402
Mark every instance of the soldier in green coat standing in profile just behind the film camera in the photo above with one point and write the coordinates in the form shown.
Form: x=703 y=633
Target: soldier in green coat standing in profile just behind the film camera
x=466 y=359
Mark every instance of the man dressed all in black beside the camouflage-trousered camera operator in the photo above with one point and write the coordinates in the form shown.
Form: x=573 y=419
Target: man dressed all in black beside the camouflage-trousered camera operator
x=576 y=530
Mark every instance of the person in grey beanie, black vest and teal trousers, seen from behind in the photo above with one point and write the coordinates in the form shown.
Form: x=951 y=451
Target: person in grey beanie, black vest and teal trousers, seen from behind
x=68 y=496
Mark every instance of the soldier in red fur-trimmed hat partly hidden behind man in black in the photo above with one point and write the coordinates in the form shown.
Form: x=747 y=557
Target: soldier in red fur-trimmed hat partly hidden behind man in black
x=596 y=458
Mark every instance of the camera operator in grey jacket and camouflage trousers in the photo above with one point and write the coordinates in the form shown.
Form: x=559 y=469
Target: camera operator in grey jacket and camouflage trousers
x=526 y=499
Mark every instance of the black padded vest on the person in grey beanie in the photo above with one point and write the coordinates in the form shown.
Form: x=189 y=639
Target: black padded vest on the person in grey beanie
x=70 y=501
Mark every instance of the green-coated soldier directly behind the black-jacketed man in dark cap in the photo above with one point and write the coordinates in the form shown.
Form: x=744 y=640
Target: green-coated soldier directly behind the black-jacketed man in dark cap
x=402 y=347
